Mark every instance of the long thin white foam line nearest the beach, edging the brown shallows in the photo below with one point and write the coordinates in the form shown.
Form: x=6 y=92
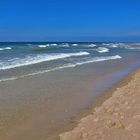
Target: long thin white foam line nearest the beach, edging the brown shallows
x=96 y=59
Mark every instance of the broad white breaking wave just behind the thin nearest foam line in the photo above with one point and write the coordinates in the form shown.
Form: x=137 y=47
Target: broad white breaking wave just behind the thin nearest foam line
x=29 y=60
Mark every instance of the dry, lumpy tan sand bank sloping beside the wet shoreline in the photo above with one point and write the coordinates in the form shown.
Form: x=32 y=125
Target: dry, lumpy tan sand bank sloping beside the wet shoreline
x=118 y=118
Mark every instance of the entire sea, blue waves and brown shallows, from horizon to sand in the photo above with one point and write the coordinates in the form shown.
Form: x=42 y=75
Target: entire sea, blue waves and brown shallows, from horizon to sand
x=45 y=87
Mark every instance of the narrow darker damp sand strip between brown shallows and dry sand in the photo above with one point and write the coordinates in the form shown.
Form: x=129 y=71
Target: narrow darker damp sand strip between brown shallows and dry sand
x=96 y=103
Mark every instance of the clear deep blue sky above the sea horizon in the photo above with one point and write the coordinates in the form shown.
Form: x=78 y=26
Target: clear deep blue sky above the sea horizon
x=70 y=20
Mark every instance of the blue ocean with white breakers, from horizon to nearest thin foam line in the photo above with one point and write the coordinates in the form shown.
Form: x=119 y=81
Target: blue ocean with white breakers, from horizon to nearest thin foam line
x=18 y=60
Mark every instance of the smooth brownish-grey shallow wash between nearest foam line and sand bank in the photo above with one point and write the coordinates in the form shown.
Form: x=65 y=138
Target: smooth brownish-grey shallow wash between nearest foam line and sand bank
x=44 y=106
